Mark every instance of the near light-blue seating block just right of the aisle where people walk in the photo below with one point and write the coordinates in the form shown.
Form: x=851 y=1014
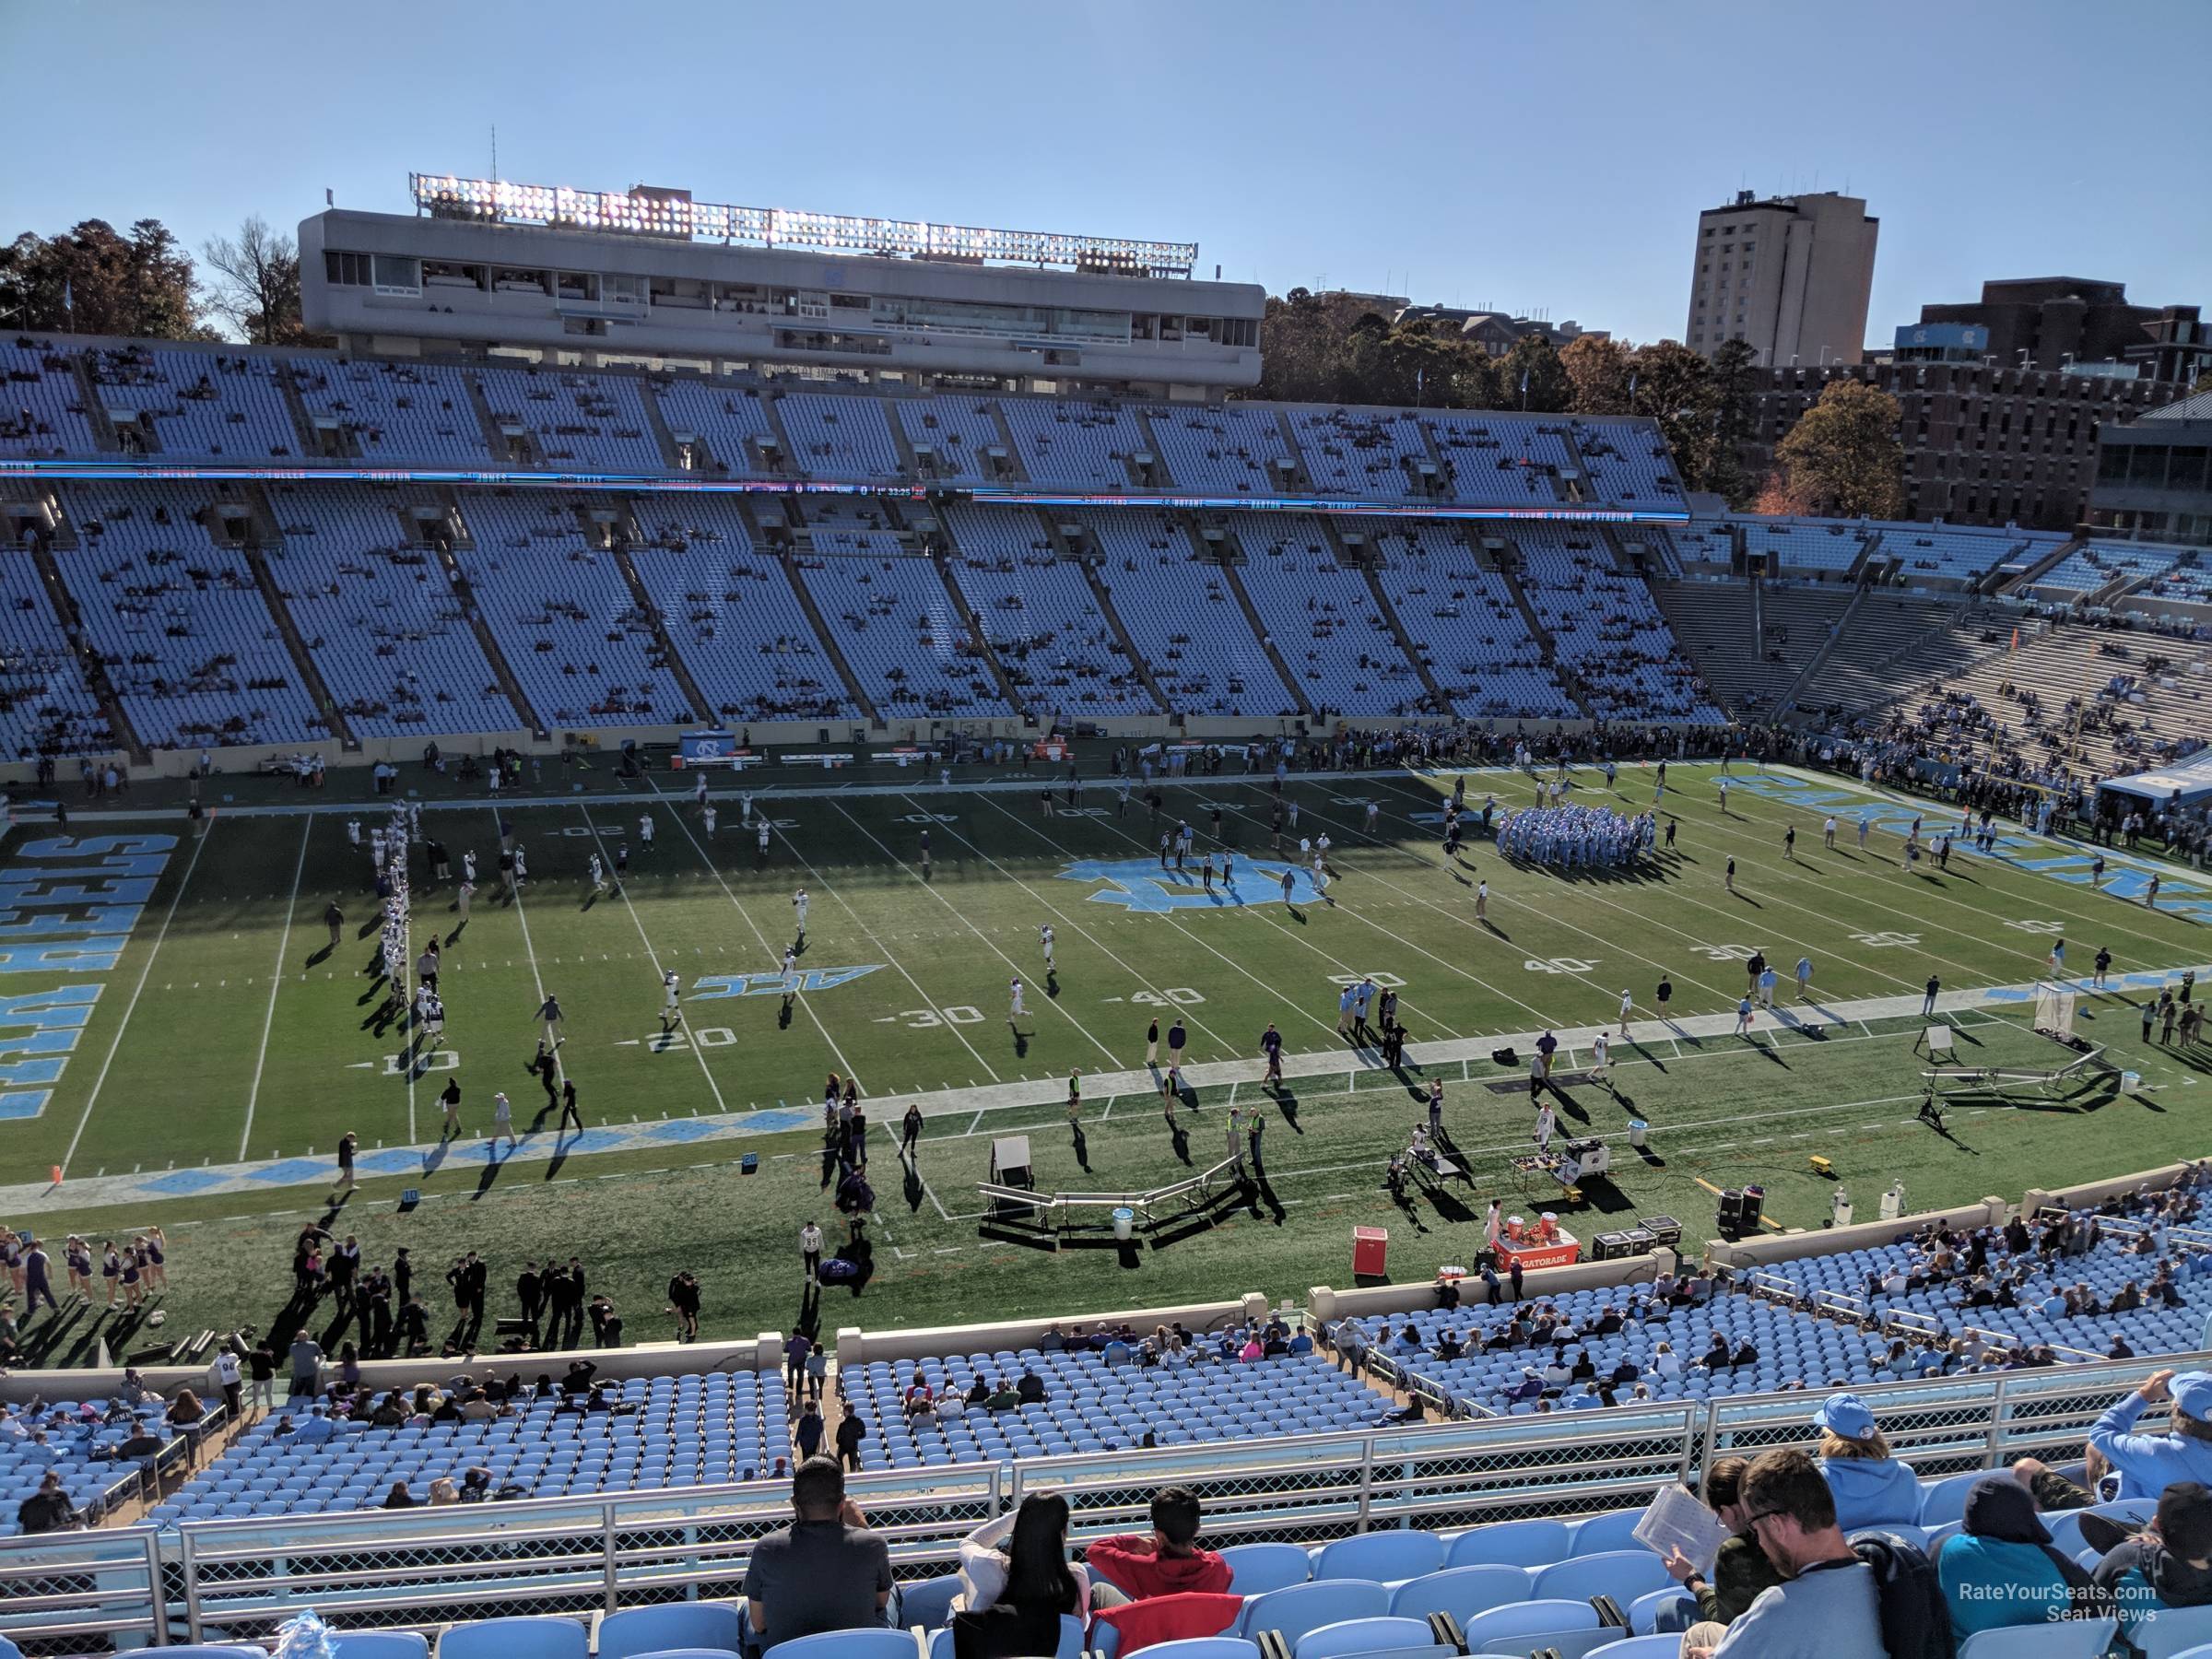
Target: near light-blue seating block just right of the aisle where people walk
x=1092 y=1406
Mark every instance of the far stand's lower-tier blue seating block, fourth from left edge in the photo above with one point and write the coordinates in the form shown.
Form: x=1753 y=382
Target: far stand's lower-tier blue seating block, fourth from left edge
x=563 y=616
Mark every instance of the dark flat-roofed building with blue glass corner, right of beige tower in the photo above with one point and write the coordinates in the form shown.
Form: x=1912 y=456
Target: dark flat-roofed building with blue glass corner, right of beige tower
x=2060 y=322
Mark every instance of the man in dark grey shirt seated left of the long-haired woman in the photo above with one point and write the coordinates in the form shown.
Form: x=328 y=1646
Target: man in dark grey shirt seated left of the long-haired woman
x=824 y=1572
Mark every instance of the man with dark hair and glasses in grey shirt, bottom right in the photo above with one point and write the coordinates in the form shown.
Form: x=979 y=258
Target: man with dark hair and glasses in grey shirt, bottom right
x=1828 y=1605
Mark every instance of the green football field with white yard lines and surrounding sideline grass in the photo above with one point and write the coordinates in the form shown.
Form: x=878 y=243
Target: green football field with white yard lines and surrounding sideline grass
x=229 y=1032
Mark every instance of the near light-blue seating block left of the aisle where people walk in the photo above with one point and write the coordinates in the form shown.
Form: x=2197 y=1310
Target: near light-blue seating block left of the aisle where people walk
x=669 y=1432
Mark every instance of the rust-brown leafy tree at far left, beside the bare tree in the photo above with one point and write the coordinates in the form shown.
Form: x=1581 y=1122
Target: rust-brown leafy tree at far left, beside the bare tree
x=90 y=280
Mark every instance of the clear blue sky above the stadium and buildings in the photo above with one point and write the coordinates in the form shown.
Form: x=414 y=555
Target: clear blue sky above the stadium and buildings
x=1523 y=156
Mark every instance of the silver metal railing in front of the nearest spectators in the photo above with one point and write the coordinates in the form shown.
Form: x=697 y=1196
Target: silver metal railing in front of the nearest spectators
x=430 y=1567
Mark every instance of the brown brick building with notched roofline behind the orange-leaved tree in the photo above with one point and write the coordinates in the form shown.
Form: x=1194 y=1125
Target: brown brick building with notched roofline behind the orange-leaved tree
x=1983 y=444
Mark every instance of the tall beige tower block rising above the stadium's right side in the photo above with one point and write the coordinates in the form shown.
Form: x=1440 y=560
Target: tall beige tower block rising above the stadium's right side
x=1791 y=275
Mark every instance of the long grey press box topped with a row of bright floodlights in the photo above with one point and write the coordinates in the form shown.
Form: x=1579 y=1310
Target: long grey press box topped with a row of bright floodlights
x=656 y=280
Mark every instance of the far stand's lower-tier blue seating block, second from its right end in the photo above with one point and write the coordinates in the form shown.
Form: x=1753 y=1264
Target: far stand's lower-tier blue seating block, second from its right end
x=1461 y=616
